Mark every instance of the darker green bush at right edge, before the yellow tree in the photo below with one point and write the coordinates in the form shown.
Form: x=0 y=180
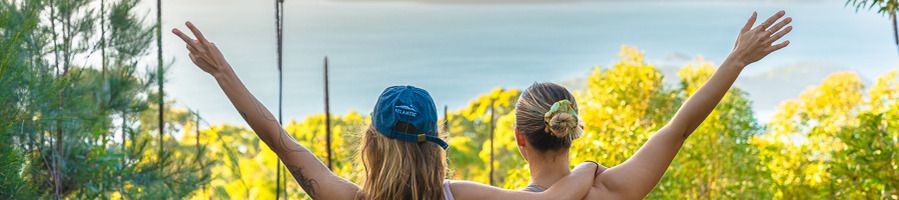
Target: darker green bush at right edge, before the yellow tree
x=866 y=167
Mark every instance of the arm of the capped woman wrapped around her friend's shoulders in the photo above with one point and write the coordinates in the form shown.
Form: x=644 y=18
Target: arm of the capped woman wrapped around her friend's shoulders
x=573 y=186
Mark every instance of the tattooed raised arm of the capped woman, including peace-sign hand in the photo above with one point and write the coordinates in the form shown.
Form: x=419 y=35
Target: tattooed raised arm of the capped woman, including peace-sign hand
x=307 y=170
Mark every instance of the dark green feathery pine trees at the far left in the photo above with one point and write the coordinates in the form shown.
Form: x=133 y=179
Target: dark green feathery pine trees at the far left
x=76 y=131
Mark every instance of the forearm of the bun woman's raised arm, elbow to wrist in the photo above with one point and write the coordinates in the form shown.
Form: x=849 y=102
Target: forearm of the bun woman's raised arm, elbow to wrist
x=699 y=105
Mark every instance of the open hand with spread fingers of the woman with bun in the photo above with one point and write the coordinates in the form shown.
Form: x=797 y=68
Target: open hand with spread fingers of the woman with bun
x=753 y=44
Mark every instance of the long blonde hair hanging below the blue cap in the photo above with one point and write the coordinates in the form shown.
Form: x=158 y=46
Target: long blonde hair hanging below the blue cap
x=401 y=170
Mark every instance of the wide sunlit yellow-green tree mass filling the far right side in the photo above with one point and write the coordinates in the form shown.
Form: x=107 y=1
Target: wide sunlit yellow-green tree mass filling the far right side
x=830 y=142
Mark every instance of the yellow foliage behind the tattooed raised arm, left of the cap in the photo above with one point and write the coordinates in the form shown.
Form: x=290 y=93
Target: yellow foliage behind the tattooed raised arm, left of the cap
x=243 y=167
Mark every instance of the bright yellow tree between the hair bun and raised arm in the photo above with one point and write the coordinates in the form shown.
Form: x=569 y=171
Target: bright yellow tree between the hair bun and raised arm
x=621 y=107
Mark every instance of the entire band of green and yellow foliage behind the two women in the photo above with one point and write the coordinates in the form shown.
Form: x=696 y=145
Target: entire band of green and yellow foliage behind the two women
x=89 y=131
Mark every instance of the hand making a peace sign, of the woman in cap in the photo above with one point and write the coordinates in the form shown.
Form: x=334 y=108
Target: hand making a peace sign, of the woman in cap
x=203 y=53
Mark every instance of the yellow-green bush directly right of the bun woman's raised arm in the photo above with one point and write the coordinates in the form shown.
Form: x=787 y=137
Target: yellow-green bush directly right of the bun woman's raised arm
x=717 y=162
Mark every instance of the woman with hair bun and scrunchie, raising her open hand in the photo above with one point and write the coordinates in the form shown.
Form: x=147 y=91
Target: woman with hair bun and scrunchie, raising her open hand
x=547 y=122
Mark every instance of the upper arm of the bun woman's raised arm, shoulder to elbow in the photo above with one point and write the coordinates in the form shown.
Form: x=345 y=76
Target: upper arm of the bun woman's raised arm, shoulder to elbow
x=637 y=176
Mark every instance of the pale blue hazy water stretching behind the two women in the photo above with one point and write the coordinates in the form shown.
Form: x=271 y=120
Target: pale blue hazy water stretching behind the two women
x=459 y=51
